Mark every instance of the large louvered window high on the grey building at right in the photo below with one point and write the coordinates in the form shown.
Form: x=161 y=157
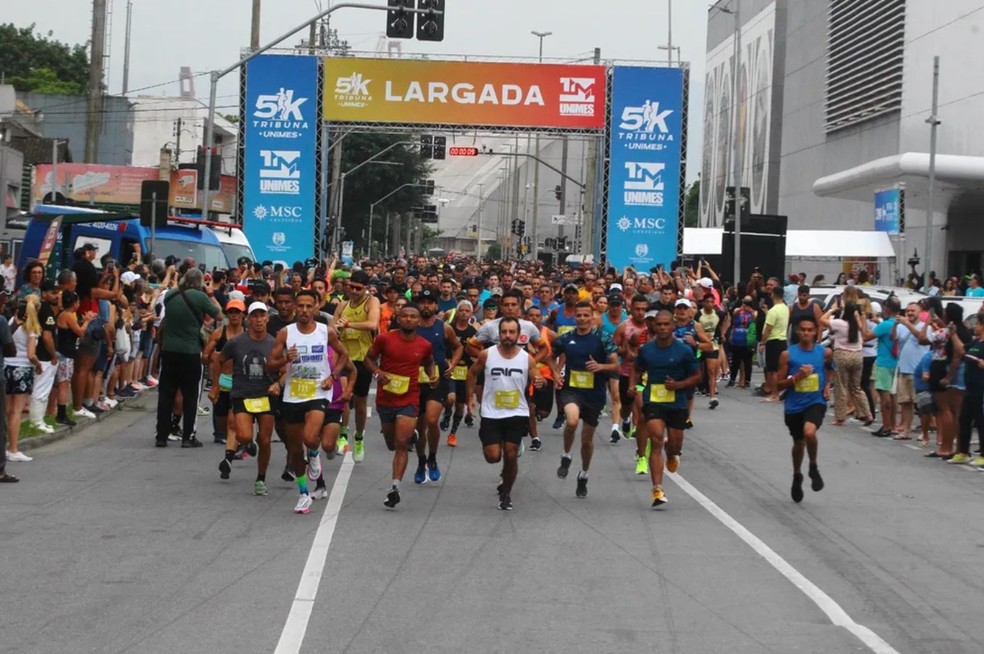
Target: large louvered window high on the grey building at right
x=865 y=43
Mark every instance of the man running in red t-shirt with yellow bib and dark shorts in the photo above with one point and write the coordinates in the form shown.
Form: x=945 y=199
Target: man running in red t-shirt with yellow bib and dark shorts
x=399 y=359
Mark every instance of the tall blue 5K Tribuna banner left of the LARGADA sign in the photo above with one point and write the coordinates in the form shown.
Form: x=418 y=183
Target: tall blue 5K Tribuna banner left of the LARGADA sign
x=280 y=167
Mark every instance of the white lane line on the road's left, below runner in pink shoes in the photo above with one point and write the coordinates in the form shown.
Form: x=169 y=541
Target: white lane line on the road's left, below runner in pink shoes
x=292 y=637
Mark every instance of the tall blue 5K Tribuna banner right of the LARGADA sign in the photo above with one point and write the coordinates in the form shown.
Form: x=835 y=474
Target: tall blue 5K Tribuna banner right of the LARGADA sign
x=644 y=187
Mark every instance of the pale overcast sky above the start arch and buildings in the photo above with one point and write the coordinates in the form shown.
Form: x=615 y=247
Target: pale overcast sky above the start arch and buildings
x=209 y=34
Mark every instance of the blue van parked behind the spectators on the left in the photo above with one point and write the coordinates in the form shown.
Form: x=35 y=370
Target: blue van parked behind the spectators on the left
x=115 y=234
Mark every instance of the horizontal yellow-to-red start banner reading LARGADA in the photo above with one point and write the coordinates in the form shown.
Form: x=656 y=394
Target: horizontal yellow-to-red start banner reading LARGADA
x=464 y=93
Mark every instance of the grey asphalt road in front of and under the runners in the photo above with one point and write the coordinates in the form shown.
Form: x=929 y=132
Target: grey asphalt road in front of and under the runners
x=111 y=545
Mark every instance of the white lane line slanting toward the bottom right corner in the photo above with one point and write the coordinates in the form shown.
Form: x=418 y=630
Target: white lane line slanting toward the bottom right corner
x=837 y=615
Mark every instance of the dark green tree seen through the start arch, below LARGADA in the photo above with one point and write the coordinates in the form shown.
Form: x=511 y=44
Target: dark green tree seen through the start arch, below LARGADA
x=371 y=182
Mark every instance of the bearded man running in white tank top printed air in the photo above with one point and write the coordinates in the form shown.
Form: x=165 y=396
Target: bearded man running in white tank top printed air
x=505 y=412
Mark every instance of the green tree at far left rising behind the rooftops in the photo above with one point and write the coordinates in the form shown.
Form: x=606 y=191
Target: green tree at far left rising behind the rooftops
x=38 y=63
